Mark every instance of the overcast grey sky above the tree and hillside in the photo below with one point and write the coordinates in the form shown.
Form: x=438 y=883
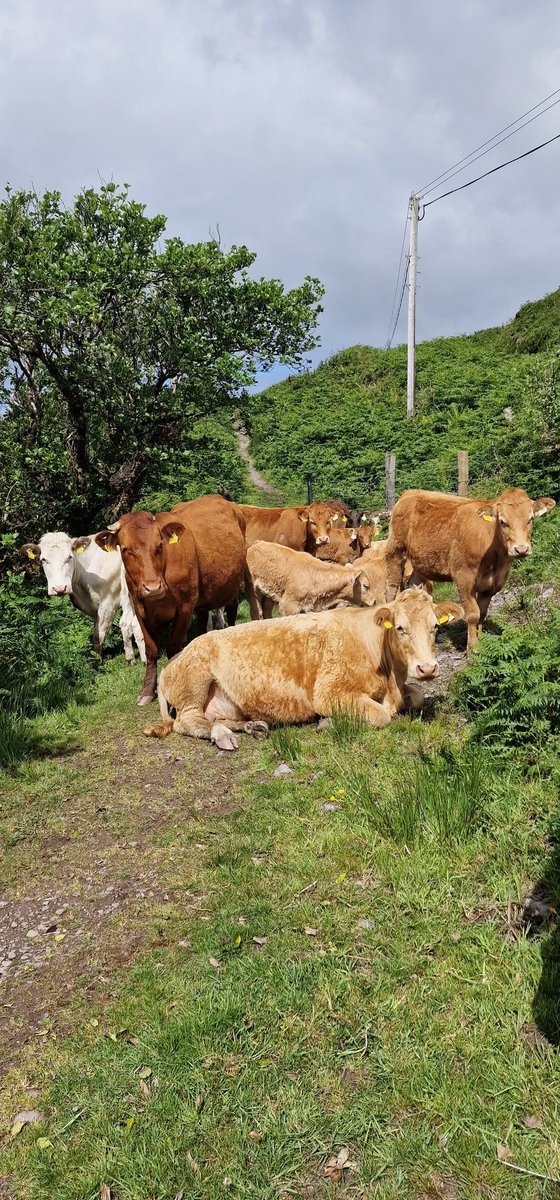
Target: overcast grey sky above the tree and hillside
x=302 y=128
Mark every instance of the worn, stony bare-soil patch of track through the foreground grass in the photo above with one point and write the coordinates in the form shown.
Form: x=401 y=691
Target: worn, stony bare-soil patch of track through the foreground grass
x=116 y=881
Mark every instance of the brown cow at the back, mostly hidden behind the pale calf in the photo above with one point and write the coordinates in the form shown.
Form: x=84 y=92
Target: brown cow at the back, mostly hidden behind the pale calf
x=304 y=527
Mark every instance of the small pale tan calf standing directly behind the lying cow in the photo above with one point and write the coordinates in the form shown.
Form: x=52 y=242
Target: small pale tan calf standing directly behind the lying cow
x=299 y=583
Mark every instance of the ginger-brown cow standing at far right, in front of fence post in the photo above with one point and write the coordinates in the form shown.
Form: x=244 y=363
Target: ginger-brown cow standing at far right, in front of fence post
x=467 y=541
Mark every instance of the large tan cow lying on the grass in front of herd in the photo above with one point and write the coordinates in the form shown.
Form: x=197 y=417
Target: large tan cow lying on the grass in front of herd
x=294 y=669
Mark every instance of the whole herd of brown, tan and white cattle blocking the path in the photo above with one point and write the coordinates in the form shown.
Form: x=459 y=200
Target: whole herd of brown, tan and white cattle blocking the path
x=323 y=567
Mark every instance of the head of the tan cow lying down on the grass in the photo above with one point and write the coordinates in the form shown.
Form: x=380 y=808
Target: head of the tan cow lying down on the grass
x=411 y=623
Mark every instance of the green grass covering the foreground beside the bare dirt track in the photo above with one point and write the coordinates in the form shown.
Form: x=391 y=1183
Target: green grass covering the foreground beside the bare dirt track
x=382 y=1013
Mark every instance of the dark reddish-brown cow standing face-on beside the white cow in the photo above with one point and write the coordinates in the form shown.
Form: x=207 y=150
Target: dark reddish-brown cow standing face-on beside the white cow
x=192 y=559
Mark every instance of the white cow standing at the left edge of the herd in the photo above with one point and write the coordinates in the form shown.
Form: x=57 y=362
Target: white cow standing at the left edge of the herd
x=97 y=585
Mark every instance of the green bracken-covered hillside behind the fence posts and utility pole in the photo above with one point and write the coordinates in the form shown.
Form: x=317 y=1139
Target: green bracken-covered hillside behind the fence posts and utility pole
x=496 y=394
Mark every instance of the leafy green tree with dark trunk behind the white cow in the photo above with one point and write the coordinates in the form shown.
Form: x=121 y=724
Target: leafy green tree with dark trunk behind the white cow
x=116 y=344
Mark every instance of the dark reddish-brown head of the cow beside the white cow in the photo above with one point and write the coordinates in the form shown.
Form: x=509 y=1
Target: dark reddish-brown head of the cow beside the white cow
x=143 y=539
